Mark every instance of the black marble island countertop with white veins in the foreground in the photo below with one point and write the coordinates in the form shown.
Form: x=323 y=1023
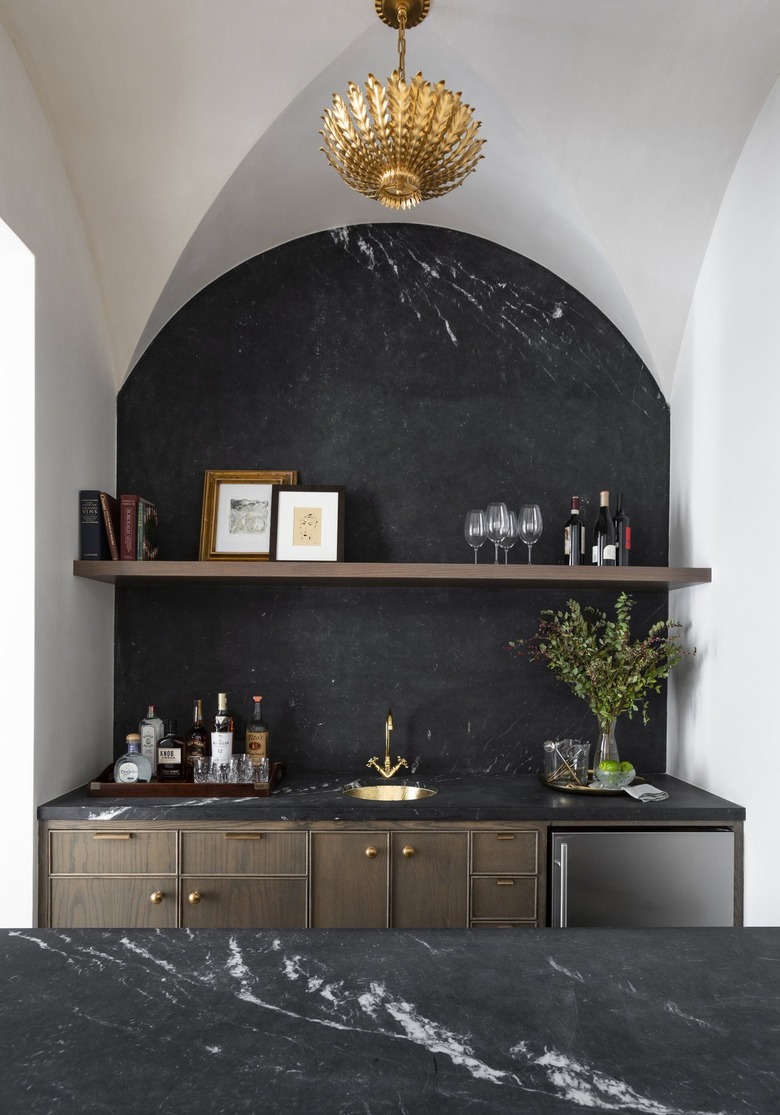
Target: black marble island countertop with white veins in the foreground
x=360 y=1023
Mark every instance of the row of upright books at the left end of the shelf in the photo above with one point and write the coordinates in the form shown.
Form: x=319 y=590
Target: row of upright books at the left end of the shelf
x=118 y=530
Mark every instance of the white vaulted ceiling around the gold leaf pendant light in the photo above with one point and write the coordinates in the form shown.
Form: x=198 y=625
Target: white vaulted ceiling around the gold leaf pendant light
x=189 y=130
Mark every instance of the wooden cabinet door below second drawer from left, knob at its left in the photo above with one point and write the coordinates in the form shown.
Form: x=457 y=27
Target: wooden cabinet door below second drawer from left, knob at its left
x=243 y=904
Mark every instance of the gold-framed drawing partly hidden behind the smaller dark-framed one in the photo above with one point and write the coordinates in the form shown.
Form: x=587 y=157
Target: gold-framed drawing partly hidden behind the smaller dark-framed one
x=236 y=522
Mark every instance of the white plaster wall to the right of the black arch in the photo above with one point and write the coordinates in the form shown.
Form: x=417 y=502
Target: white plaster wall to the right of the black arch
x=726 y=414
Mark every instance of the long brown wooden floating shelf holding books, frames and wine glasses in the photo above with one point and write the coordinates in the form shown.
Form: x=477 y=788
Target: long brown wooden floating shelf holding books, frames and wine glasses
x=416 y=575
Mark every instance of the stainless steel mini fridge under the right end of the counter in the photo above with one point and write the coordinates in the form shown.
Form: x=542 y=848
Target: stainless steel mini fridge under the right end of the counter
x=642 y=878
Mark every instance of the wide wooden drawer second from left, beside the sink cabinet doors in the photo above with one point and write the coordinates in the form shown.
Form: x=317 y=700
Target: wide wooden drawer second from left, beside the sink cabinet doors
x=239 y=852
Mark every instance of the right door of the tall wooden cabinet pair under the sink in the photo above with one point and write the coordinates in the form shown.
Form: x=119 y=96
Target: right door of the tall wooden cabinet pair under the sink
x=430 y=880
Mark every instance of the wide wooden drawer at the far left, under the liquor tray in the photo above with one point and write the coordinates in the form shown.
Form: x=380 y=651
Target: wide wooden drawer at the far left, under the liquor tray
x=113 y=852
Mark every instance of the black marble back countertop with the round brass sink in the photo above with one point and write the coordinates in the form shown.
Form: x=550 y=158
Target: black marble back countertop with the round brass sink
x=470 y=798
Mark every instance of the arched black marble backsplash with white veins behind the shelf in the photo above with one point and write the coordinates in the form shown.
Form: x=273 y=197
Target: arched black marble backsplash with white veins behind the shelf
x=428 y=372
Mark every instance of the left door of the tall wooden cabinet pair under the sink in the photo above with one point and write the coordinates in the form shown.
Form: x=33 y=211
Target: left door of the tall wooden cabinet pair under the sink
x=349 y=880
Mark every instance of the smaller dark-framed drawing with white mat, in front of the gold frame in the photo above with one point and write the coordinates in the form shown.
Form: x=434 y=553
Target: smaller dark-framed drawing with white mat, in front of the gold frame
x=308 y=525
